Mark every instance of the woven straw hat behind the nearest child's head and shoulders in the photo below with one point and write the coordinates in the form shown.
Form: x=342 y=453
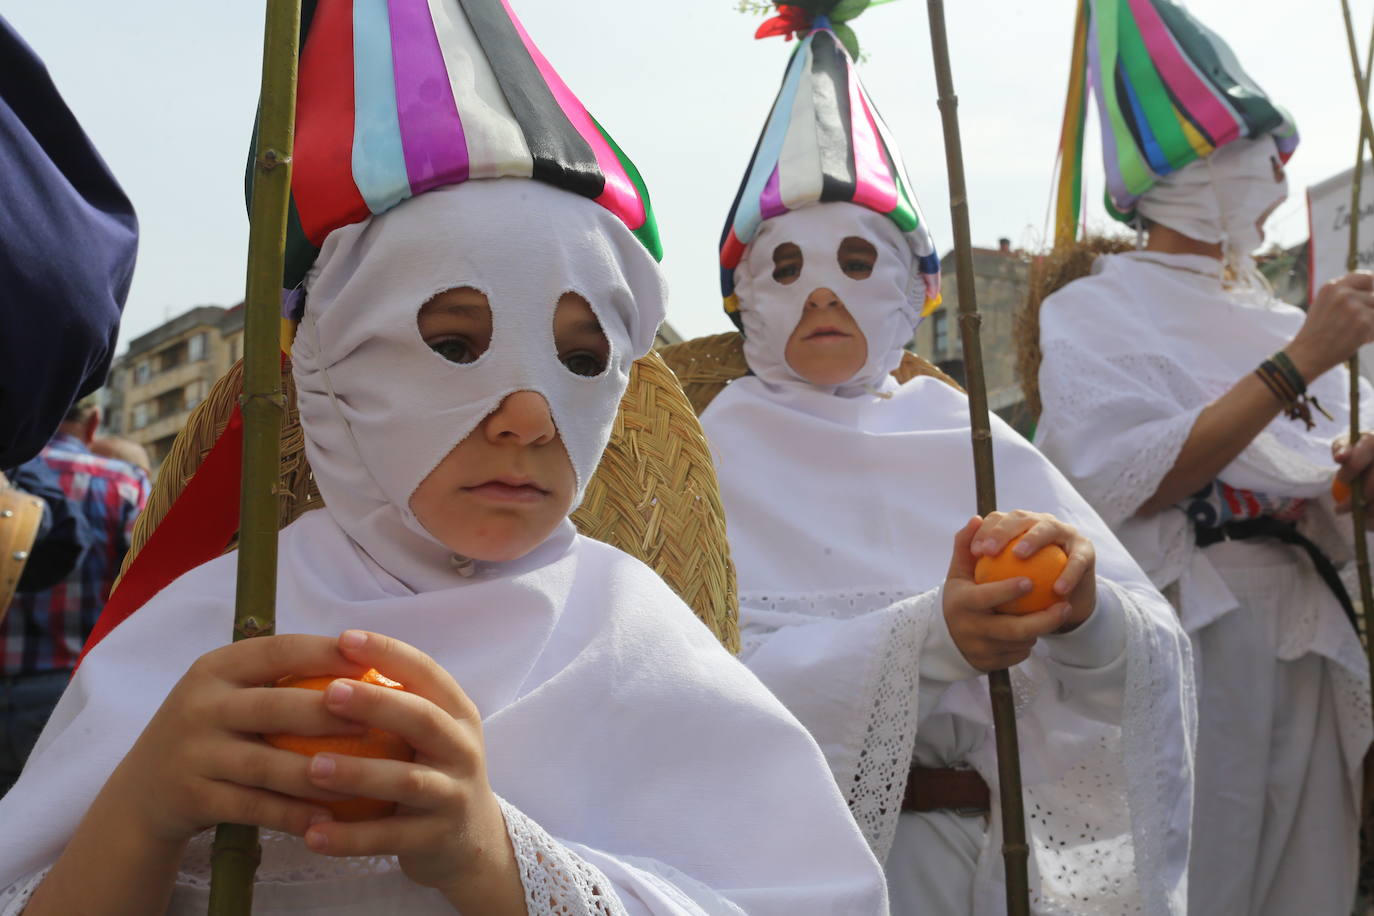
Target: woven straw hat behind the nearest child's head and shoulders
x=653 y=496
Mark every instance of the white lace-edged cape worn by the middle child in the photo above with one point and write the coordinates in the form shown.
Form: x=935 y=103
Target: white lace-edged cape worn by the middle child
x=842 y=517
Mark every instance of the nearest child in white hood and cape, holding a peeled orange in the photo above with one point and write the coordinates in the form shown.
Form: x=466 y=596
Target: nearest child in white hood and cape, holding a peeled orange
x=578 y=731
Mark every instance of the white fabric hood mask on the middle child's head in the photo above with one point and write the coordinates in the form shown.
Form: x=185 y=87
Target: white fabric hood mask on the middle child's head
x=887 y=304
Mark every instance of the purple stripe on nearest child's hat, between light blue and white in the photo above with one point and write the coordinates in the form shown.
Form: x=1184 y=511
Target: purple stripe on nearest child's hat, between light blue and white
x=432 y=131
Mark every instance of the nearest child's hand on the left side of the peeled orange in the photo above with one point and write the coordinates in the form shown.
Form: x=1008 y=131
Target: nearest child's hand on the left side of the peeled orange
x=201 y=763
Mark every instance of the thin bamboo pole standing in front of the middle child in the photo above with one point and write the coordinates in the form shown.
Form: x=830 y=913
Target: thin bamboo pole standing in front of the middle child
x=1015 y=851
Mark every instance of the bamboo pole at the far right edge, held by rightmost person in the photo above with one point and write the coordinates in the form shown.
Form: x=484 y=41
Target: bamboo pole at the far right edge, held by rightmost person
x=1358 y=506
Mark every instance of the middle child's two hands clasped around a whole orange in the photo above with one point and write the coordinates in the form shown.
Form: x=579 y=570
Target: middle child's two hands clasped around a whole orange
x=990 y=641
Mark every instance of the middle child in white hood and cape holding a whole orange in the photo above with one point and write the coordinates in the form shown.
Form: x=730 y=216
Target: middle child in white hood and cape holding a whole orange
x=843 y=491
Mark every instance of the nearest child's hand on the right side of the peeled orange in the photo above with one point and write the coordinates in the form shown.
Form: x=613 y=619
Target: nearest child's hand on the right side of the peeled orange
x=449 y=832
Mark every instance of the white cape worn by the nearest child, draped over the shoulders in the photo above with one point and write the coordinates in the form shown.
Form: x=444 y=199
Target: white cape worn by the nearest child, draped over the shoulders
x=613 y=723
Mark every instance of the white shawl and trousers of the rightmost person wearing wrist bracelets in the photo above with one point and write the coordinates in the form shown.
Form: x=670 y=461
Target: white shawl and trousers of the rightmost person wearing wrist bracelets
x=1131 y=356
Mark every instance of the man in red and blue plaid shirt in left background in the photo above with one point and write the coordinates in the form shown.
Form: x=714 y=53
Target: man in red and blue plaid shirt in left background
x=42 y=637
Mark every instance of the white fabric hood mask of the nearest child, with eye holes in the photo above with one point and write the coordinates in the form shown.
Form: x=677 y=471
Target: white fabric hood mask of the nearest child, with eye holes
x=380 y=410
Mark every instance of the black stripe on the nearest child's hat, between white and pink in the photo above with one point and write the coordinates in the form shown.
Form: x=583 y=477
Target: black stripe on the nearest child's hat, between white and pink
x=563 y=157
